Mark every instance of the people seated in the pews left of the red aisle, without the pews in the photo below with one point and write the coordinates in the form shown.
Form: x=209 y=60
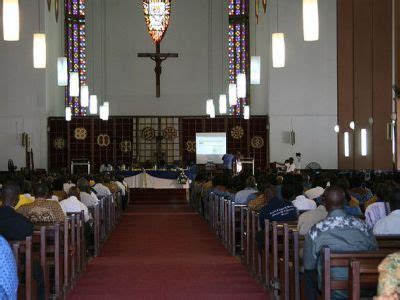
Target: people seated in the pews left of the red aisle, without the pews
x=26 y=206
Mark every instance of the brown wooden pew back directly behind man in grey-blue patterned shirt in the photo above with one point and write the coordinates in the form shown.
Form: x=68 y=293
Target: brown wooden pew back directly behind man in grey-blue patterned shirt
x=344 y=259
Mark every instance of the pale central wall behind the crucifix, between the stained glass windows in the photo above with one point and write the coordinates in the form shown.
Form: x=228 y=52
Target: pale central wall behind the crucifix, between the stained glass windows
x=130 y=81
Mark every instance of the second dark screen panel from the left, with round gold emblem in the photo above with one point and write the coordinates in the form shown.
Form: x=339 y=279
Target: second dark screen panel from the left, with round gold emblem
x=80 y=146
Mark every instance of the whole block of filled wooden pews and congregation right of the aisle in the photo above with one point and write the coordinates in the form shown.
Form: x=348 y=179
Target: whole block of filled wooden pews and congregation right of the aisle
x=310 y=236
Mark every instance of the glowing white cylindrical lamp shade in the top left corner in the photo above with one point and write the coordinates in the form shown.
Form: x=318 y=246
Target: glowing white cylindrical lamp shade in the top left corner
x=10 y=20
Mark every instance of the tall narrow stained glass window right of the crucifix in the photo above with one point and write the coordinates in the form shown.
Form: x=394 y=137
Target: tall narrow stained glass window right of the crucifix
x=238 y=47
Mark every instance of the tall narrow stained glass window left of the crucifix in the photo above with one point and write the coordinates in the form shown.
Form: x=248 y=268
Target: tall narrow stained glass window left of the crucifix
x=75 y=32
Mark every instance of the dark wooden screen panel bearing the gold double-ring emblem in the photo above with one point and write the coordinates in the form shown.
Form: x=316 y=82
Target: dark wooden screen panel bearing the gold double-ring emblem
x=103 y=154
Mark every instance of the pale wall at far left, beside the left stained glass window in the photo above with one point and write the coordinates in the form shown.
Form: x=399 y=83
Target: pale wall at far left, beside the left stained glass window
x=24 y=89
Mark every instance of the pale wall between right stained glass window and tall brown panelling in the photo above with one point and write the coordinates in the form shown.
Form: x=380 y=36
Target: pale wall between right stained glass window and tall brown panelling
x=303 y=95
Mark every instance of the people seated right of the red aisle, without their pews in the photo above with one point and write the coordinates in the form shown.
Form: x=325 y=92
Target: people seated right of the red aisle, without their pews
x=328 y=213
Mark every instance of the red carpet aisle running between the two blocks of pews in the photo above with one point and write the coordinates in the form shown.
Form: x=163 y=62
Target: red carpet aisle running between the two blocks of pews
x=165 y=252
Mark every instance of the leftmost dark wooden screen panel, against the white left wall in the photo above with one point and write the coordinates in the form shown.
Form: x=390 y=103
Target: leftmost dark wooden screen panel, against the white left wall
x=57 y=154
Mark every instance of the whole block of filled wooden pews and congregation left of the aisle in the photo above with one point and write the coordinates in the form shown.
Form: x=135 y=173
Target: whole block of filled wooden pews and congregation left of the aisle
x=50 y=226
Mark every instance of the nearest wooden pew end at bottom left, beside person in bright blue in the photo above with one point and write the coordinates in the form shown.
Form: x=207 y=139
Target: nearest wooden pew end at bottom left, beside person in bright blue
x=23 y=256
